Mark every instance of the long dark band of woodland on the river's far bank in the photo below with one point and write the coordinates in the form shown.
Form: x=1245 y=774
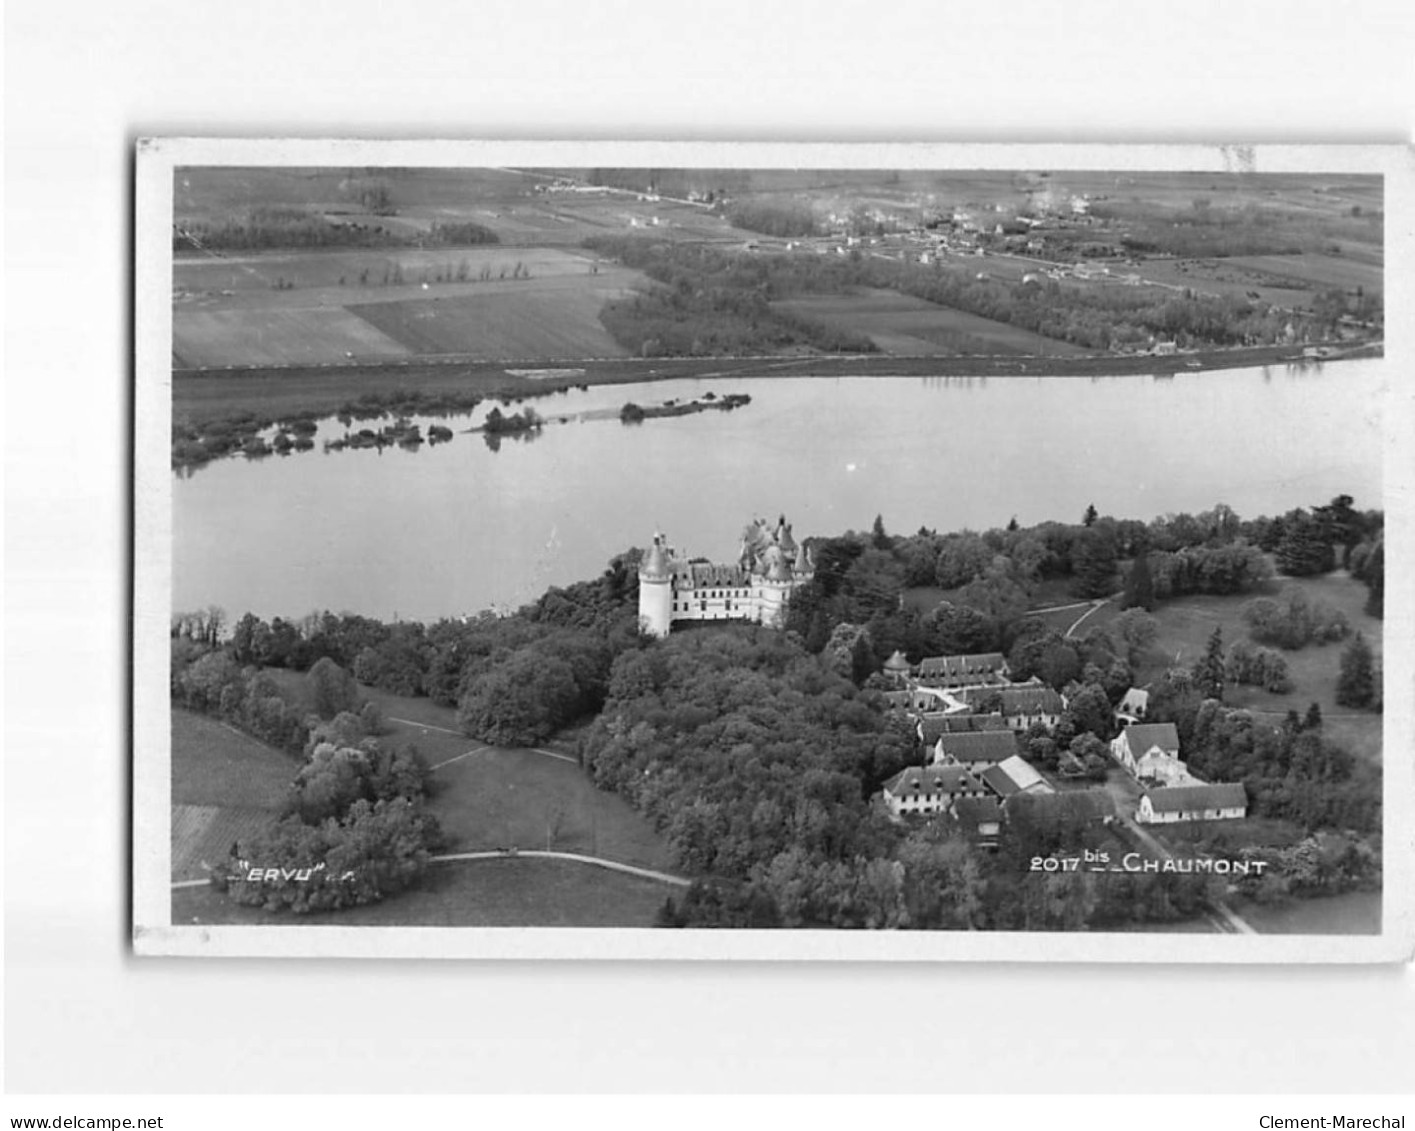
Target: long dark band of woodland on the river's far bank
x=715 y=297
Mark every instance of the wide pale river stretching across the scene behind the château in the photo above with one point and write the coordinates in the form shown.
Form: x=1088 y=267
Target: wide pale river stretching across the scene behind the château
x=455 y=529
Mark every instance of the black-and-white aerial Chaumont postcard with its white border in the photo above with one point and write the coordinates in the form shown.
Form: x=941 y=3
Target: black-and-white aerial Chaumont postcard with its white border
x=626 y=551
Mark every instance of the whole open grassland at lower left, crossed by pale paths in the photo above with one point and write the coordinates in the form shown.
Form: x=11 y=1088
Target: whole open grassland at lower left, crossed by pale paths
x=485 y=799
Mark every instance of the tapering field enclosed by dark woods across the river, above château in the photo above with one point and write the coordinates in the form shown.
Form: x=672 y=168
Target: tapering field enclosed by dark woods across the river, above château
x=902 y=325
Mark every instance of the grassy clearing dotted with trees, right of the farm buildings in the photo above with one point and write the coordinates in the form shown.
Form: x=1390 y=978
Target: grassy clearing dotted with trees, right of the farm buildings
x=1185 y=626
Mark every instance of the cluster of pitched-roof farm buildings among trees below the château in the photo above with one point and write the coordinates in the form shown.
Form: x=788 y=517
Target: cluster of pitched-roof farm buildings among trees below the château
x=967 y=716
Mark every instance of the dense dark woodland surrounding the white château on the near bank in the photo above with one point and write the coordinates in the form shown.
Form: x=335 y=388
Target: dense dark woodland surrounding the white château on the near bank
x=756 y=752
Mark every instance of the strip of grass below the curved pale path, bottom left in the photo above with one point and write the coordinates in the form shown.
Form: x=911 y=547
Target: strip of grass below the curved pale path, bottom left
x=513 y=892
